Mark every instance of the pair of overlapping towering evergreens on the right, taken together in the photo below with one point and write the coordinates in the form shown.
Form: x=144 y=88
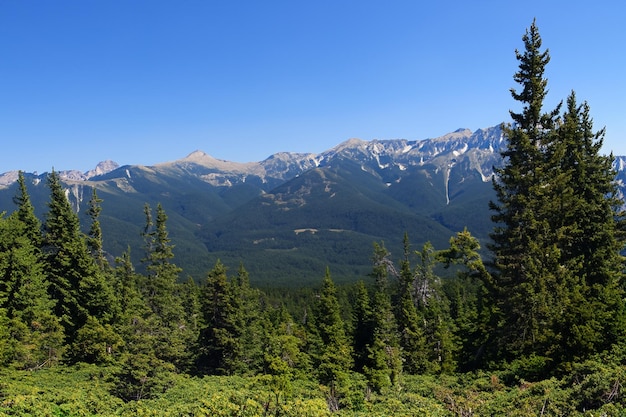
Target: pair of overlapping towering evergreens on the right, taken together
x=556 y=287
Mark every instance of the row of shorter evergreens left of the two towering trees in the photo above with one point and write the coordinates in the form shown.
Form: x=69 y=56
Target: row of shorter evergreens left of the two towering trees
x=64 y=303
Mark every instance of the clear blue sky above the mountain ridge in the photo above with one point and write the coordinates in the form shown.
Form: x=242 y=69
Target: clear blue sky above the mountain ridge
x=143 y=82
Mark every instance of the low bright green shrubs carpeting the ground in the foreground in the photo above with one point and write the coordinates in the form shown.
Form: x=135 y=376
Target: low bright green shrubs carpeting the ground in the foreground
x=594 y=388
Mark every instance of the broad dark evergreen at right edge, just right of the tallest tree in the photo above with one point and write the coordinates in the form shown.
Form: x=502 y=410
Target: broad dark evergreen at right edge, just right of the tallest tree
x=586 y=220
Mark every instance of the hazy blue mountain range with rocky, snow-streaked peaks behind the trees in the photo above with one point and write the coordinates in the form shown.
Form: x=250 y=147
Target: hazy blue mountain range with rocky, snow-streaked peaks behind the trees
x=288 y=217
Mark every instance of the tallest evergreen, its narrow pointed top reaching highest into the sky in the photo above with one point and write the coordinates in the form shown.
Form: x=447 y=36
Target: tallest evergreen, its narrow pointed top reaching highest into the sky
x=520 y=236
